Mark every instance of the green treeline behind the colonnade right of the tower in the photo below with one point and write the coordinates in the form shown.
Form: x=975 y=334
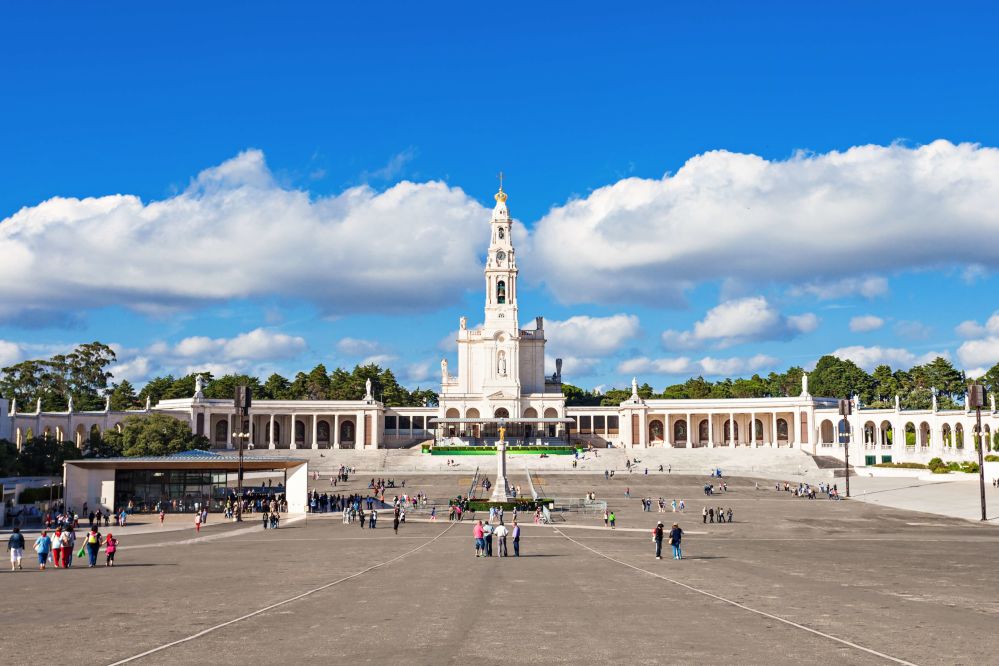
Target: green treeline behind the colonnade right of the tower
x=831 y=378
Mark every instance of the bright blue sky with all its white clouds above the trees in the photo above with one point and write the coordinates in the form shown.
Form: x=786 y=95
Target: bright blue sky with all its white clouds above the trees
x=704 y=188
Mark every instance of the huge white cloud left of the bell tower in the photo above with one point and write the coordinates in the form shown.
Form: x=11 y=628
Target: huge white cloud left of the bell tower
x=236 y=233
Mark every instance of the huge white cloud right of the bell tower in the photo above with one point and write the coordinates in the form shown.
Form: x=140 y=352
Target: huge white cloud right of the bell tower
x=813 y=221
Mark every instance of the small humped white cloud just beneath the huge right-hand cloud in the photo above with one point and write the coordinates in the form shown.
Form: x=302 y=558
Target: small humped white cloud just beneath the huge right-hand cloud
x=737 y=321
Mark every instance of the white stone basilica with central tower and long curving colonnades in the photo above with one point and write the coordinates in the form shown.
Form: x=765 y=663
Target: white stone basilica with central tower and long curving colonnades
x=500 y=382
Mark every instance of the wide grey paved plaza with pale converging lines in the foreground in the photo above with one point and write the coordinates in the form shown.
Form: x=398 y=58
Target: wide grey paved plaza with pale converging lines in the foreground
x=791 y=580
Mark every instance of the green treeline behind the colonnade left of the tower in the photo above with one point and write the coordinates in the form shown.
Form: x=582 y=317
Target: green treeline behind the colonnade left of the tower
x=84 y=376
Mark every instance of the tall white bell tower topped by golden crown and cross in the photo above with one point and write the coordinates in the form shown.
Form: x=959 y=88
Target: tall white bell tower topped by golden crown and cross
x=501 y=272
